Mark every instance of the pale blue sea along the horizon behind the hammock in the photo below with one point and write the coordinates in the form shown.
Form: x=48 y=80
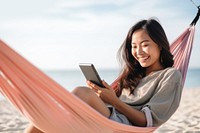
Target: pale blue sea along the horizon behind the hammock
x=70 y=79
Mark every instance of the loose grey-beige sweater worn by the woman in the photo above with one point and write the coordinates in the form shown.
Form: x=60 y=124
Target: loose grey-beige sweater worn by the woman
x=159 y=91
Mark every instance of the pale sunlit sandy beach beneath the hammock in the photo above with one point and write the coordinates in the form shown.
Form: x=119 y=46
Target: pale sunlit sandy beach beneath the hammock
x=185 y=120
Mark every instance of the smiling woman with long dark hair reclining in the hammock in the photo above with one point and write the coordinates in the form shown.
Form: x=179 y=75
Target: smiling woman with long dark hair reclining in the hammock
x=149 y=88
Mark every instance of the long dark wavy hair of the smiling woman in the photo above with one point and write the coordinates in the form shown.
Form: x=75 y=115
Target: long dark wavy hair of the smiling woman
x=132 y=71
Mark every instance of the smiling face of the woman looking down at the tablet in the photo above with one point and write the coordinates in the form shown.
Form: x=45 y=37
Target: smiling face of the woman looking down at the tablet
x=145 y=51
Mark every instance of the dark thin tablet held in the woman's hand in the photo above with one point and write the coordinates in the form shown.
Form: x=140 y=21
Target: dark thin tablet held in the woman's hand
x=90 y=73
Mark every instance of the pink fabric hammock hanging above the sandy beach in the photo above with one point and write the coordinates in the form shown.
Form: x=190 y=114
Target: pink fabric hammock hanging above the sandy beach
x=53 y=109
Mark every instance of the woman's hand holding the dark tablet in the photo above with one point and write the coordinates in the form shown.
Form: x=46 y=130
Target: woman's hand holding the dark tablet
x=107 y=94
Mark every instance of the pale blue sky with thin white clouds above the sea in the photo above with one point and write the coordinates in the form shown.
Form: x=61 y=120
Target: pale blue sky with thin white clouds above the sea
x=60 y=34
